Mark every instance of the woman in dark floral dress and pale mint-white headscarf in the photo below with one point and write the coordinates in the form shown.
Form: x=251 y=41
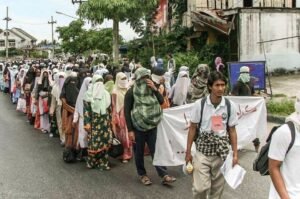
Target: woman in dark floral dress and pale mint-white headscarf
x=97 y=123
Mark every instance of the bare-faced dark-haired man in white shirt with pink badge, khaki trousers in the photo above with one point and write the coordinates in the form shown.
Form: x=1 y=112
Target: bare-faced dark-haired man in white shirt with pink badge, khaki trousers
x=213 y=139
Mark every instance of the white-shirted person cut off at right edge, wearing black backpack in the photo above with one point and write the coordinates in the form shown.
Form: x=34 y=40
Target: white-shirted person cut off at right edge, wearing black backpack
x=284 y=167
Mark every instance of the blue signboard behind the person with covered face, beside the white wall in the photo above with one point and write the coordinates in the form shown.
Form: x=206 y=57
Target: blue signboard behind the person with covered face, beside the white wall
x=257 y=73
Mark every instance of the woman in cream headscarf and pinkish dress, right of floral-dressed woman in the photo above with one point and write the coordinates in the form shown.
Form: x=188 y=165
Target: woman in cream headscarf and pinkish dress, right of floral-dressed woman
x=118 y=116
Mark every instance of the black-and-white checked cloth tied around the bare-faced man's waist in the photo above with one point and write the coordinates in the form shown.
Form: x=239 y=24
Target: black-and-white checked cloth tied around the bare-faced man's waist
x=211 y=145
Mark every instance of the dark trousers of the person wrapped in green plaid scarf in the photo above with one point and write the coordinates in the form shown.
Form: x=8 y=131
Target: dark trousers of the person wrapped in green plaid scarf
x=141 y=138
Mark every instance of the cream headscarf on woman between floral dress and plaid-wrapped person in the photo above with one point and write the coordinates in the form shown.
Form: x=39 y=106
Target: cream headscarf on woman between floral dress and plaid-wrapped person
x=120 y=90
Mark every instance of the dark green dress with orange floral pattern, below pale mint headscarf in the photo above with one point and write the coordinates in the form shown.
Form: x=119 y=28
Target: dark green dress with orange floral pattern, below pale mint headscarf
x=100 y=137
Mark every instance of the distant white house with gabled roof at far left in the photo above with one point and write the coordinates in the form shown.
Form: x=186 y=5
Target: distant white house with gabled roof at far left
x=17 y=38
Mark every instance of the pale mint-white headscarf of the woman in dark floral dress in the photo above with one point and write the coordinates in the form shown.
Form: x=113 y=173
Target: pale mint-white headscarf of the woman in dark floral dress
x=98 y=96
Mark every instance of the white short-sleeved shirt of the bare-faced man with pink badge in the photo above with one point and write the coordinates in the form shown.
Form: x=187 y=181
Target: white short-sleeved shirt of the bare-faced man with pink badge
x=209 y=111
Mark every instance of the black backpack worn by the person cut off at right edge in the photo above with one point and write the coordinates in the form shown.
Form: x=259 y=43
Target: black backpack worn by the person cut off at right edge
x=261 y=163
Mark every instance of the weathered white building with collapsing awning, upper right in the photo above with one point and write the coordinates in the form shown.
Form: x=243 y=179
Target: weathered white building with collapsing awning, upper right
x=256 y=30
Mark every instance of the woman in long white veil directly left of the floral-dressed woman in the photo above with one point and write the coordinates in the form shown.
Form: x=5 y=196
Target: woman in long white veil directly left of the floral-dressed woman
x=78 y=117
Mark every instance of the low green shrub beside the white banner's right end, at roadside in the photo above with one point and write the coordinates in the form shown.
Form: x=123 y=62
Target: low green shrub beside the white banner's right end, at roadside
x=283 y=107
